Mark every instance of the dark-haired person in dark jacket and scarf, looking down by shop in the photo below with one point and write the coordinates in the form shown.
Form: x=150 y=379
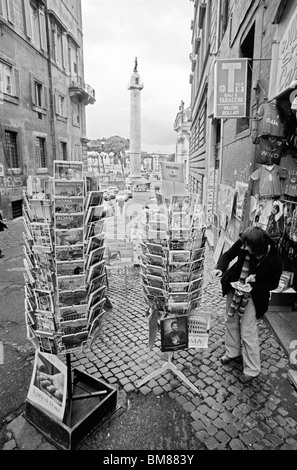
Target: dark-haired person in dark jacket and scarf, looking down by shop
x=256 y=270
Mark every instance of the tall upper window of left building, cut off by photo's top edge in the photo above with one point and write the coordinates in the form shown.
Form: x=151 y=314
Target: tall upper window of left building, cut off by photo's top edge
x=35 y=23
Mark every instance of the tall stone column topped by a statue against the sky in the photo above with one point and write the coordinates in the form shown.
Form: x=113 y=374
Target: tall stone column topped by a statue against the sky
x=135 y=86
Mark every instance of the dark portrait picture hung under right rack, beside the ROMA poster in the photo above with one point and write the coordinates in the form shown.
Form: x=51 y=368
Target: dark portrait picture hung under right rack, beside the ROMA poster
x=174 y=333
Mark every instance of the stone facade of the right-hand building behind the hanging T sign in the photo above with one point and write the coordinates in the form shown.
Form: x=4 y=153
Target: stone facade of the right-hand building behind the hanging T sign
x=222 y=151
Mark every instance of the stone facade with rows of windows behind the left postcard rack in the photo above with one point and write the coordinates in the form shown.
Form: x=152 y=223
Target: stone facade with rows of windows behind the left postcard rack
x=43 y=93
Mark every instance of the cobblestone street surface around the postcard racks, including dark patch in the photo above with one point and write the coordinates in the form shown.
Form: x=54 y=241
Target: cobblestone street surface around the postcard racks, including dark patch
x=228 y=415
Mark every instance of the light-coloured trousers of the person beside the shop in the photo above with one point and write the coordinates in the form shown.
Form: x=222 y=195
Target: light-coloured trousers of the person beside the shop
x=241 y=337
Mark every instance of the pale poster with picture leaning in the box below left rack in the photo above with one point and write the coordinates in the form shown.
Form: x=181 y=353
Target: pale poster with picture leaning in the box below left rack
x=48 y=386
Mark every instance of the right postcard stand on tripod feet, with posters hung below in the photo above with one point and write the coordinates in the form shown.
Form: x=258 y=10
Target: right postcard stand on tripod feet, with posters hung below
x=172 y=262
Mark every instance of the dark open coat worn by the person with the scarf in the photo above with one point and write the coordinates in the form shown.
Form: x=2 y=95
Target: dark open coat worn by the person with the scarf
x=268 y=272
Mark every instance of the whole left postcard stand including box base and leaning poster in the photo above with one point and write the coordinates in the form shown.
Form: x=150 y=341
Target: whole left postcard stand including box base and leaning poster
x=65 y=285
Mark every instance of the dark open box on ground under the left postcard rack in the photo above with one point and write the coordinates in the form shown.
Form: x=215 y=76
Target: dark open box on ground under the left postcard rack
x=86 y=413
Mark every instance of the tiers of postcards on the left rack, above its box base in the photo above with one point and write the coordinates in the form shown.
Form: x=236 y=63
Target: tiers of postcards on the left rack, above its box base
x=65 y=278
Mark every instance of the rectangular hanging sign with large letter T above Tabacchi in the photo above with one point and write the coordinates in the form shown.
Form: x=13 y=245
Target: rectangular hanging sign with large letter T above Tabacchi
x=230 y=88
